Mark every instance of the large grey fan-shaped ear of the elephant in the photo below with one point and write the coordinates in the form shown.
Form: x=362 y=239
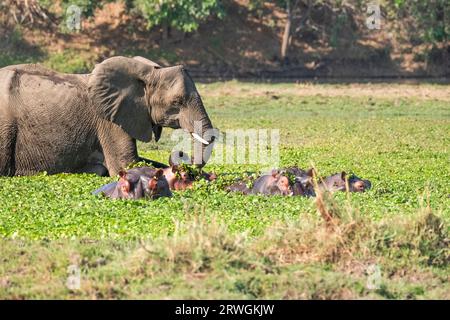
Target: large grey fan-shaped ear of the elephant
x=117 y=88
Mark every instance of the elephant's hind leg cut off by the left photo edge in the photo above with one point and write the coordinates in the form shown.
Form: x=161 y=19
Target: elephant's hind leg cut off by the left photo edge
x=7 y=146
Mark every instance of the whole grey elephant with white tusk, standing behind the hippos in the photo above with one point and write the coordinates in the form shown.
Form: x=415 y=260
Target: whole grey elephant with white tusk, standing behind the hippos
x=89 y=123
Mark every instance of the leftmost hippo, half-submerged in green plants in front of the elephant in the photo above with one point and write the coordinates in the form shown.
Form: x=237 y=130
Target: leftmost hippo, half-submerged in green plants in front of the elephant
x=142 y=183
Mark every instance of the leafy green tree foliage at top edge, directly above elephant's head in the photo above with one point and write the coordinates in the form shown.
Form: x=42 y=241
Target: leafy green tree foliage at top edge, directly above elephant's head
x=184 y=15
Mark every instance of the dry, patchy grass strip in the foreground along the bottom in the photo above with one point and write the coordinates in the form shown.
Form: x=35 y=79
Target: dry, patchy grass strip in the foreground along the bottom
x=203 y=259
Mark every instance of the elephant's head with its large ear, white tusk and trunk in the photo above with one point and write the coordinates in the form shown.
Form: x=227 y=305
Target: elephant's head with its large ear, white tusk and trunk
x=142 y=97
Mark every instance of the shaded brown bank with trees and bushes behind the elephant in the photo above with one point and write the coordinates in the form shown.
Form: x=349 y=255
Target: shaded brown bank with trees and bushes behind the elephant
x=222 y=39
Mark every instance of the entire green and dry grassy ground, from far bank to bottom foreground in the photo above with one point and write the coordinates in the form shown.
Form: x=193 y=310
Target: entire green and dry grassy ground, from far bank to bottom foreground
x=399 y=142
